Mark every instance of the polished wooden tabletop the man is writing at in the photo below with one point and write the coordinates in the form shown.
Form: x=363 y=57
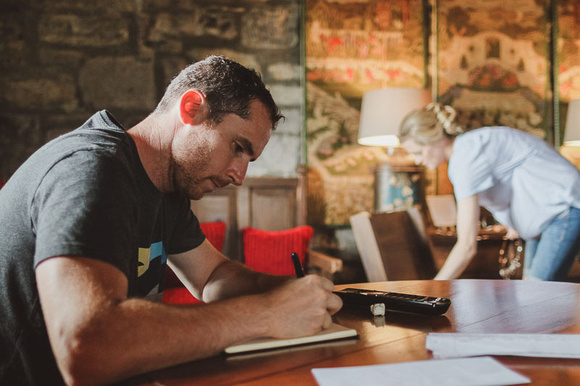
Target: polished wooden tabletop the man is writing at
x=478 y=306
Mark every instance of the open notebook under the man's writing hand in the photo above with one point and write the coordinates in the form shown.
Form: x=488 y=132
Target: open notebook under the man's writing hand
x=334 y=332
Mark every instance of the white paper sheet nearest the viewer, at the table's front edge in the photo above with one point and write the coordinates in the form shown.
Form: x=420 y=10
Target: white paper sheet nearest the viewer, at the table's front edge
x=479 y=371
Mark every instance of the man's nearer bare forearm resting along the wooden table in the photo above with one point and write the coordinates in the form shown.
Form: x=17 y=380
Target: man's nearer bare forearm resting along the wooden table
x=146 y=336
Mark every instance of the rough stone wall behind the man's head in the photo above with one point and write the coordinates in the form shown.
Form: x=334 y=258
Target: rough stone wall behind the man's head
x=62 y=60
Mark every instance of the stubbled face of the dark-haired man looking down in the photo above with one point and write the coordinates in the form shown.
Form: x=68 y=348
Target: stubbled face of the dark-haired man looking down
x=213 y=155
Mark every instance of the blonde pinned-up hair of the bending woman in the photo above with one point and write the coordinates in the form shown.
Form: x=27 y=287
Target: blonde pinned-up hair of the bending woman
x=429 y=124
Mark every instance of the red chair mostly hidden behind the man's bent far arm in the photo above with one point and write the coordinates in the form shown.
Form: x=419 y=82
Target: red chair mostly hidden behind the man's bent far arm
x=175 y=292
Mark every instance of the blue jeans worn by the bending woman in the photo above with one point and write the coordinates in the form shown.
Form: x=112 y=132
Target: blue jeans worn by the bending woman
x=551 y=256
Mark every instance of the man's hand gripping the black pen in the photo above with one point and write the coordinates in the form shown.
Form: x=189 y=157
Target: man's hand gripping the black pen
x=301 y=307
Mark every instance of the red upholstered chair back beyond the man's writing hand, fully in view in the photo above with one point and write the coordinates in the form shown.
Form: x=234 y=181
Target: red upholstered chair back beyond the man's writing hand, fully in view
x=269 y=251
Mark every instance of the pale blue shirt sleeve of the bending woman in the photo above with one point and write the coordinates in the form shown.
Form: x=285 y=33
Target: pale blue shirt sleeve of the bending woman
x=469 y=167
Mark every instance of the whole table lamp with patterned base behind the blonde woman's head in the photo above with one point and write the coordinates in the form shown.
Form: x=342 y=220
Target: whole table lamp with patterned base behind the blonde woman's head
x=397 y=180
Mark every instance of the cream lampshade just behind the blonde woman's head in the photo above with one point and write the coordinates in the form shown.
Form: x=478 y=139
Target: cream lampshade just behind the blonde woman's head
x=382 y=112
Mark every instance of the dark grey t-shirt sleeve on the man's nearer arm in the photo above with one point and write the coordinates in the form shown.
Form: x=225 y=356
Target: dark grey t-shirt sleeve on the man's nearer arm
x=86 y=207
